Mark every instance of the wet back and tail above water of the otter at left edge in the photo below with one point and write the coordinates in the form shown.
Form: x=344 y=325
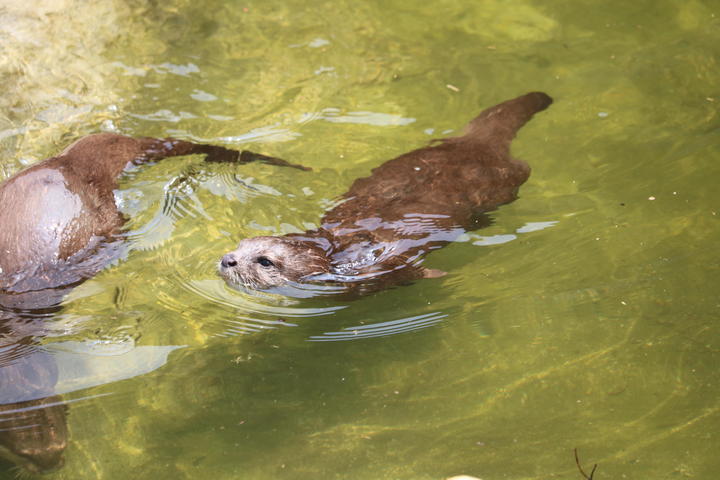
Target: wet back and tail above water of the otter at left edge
x=54 y=214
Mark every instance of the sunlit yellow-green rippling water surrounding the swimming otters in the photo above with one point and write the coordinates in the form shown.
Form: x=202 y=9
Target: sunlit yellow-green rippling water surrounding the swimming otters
x=585 y=317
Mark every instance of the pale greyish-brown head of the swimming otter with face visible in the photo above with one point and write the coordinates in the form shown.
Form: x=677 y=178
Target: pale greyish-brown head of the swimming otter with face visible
x=265 y=262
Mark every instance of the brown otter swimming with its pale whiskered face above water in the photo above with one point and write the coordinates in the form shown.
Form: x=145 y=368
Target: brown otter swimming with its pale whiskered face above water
x=408 y=206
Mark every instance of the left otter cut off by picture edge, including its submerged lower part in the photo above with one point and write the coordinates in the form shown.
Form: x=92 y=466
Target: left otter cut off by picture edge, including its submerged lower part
x=58 y=227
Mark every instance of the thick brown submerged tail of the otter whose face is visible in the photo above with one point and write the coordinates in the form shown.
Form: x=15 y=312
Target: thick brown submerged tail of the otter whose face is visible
x=499 y=124
